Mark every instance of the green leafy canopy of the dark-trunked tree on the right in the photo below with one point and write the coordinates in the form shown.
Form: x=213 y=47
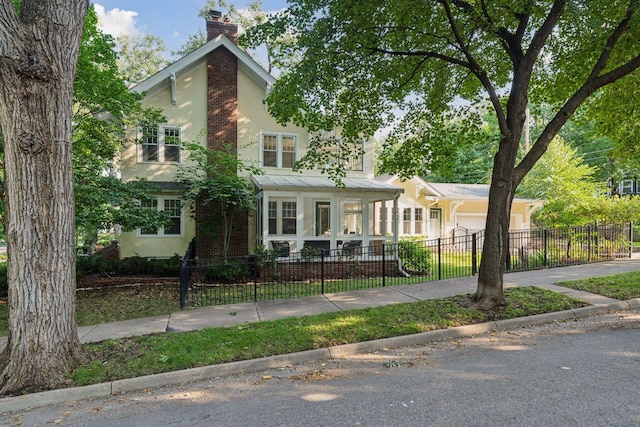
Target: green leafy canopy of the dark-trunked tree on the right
x=363 y=63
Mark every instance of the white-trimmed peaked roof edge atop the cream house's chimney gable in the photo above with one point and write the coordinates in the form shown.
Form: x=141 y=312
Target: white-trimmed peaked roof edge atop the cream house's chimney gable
x=245 y=63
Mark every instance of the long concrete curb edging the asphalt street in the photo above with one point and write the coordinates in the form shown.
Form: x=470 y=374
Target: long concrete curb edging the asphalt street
x=104 y=390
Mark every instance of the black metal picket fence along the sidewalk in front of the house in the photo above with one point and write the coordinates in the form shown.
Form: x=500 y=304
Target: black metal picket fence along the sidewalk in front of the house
x=314 y=271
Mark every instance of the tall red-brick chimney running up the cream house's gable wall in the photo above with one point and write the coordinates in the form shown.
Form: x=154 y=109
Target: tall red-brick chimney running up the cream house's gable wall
x=222 y=128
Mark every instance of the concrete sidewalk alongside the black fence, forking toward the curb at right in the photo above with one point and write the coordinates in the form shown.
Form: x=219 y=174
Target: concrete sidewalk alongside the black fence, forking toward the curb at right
x=228 y=315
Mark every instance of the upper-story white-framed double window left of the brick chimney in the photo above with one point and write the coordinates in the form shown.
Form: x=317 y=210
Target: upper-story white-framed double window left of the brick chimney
x=160 y=144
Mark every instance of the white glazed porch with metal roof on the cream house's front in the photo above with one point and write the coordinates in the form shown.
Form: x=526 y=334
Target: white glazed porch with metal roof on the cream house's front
x=297 y=211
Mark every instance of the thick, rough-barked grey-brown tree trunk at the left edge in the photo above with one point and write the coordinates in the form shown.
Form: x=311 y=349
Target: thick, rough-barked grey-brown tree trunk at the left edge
x=37 y=72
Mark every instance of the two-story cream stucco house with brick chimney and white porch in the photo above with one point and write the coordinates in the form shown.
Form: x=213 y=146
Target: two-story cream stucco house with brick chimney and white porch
x=220 y=89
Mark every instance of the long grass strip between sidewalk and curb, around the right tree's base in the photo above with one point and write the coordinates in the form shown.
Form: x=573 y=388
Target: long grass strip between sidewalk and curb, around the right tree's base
x=137 y=356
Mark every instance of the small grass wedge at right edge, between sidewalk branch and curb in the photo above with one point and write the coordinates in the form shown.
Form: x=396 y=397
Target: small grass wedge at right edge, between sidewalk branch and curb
x=622 y=286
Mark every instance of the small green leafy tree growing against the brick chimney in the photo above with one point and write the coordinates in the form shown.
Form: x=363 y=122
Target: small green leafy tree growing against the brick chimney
x=215 y=181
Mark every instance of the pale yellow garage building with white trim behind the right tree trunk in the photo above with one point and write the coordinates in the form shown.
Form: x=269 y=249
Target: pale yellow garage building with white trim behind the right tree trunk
x=447 y=210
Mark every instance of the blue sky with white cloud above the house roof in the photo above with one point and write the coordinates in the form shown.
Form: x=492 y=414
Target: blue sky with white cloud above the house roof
x=171 y=20
